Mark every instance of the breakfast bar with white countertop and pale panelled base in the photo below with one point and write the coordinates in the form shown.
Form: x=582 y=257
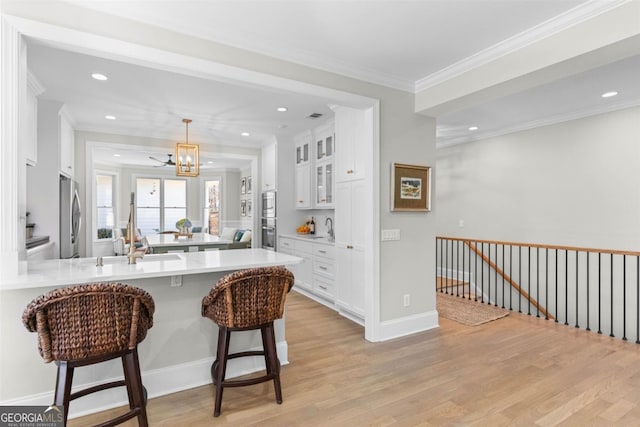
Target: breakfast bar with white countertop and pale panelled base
x=179 y=349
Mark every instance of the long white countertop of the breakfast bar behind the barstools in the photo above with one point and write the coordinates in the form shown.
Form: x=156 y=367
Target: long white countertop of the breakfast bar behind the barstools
x=47 y=273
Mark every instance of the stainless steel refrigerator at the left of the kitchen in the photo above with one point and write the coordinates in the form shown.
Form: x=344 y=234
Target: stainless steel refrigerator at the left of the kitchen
x=70 y=218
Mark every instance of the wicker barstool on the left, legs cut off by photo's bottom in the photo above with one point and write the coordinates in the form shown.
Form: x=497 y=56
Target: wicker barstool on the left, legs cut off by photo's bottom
x=88 y=324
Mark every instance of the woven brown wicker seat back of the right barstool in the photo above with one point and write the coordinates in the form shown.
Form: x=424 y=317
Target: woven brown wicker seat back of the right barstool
x=248 y=298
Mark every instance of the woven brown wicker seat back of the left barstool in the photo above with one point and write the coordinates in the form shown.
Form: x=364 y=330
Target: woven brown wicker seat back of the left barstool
x=89 y=320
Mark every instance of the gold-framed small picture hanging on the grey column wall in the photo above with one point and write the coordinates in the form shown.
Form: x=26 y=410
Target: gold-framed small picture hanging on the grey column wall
x=410 y=188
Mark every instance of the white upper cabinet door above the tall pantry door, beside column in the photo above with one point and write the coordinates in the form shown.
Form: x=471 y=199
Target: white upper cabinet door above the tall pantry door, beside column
x=352 y=131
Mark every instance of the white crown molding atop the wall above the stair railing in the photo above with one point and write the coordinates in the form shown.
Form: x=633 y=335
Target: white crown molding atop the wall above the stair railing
x=547 y=121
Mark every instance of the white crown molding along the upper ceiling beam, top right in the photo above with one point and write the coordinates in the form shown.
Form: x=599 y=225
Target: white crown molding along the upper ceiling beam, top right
x=539 y=32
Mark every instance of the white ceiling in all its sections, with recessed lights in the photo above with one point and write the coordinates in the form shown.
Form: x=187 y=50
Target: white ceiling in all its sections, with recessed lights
x=401 y=44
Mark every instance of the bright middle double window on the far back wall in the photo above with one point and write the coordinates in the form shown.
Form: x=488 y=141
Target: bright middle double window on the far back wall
x=160 y=203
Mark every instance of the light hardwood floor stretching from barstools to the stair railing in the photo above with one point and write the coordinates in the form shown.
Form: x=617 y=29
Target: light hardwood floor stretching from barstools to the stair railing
x=516 y=371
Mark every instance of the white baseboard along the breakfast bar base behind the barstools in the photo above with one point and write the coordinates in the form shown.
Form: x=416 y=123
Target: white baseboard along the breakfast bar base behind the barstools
x=158 y=382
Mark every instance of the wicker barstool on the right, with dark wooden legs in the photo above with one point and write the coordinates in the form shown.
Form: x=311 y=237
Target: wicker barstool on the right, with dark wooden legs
x=246 y=300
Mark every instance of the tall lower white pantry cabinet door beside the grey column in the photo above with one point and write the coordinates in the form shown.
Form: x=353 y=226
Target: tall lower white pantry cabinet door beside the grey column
x=350 y=248
